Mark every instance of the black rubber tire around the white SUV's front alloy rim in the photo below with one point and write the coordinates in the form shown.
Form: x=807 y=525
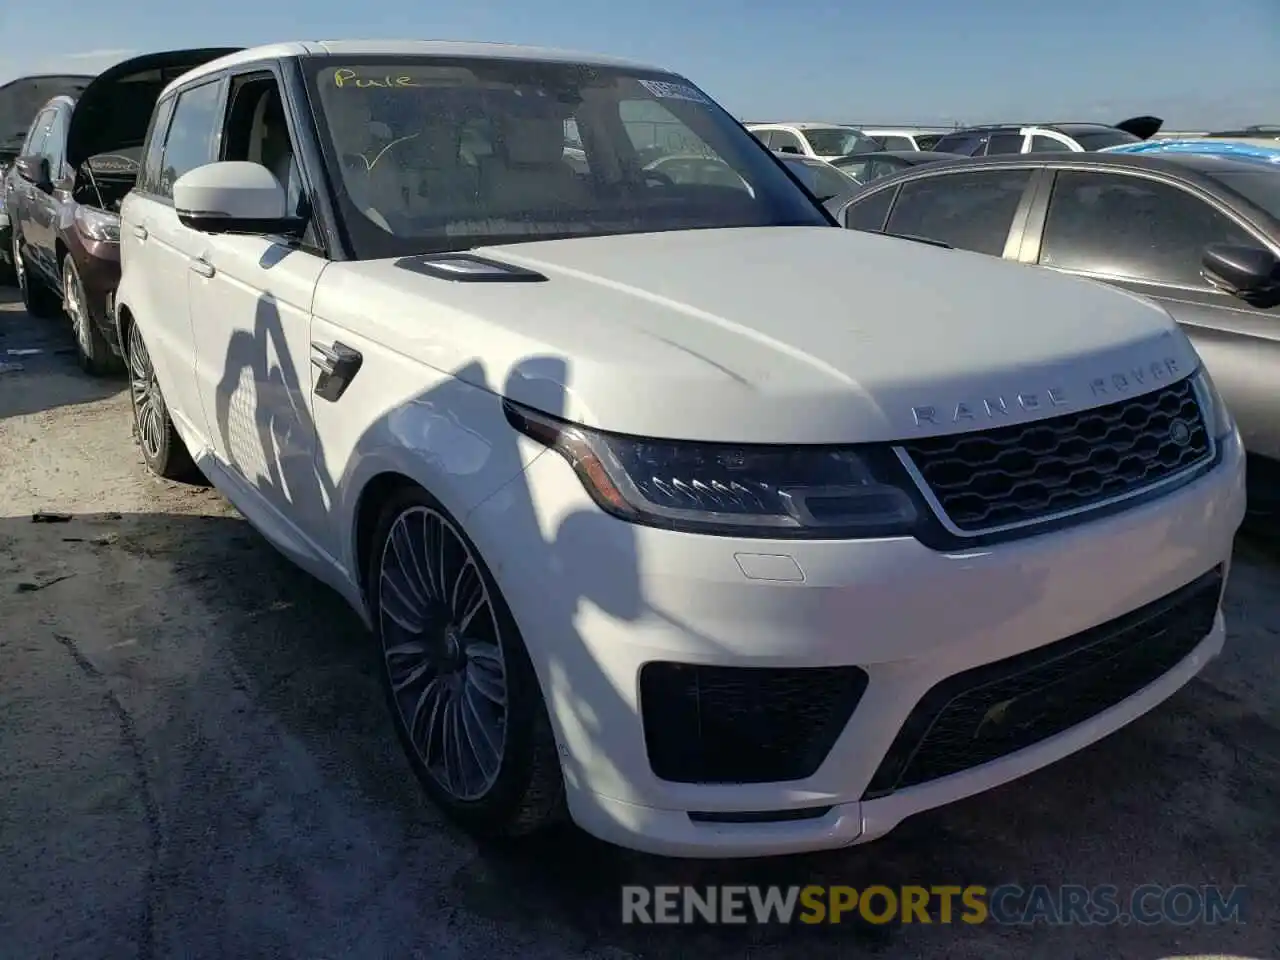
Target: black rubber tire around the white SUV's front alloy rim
x=527 y=792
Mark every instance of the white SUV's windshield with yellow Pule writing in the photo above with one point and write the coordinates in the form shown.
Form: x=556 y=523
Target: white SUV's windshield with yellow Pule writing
x=433 y=154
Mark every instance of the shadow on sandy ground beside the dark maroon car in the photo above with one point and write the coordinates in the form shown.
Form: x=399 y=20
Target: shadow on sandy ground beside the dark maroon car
x=38 y=364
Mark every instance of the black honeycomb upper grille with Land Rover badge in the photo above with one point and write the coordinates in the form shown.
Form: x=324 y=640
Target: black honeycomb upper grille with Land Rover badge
x=1030 y=472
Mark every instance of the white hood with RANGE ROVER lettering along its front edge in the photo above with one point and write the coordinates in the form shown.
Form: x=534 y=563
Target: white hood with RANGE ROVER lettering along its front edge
x=808 y=335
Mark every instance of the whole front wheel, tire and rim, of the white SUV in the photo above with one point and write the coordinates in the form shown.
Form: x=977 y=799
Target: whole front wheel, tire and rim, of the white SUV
x=463 y=691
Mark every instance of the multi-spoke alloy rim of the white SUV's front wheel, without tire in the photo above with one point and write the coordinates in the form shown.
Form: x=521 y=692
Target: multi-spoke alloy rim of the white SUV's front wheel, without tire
x=442 y=644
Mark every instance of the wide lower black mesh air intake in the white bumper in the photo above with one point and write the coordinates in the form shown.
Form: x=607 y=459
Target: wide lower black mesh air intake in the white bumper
x=995 y=710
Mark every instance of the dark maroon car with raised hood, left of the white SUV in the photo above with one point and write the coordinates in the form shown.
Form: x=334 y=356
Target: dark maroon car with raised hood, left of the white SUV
x=80 y=159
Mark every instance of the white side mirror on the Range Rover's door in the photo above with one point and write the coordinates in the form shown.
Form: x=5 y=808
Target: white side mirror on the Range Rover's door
x=234 y=196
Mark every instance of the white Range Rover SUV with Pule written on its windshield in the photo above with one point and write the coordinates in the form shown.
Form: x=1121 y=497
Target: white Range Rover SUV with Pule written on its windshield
x=643 y=537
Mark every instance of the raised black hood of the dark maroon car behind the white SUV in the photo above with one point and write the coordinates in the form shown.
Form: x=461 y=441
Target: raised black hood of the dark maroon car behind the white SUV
x=115 y=111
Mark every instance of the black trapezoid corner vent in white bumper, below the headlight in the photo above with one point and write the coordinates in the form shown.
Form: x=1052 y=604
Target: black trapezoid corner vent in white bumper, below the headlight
x=744 y=725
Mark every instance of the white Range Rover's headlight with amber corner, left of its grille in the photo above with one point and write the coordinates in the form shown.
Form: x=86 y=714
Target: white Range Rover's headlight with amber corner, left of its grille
x=771 y=492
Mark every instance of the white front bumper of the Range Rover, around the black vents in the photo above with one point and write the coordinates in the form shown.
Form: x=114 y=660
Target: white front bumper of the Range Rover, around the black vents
x=597 y=600
